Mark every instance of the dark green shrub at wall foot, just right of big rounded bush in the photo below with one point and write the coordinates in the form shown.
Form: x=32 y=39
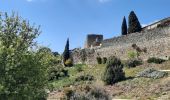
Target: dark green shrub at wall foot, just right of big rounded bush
x=133 y=63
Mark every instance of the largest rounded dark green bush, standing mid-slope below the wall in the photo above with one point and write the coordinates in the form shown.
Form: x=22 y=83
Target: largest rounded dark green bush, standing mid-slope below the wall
x=113 y=71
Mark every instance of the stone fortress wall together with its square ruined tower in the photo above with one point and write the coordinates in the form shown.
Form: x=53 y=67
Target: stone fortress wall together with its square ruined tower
x=152 y=41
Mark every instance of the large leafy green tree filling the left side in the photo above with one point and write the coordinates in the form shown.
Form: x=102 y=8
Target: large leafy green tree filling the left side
x=23 y=74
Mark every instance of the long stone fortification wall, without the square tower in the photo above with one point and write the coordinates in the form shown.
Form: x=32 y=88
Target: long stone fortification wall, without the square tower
x=156 y=42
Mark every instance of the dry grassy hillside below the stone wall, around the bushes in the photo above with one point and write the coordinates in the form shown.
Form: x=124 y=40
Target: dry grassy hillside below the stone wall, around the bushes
x=131 y=88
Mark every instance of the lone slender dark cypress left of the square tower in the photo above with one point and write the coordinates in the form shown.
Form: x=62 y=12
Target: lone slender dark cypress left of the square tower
x=66 y=53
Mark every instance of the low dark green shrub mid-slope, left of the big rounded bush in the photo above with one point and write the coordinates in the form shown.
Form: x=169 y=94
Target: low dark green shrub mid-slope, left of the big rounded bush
x=86 y=77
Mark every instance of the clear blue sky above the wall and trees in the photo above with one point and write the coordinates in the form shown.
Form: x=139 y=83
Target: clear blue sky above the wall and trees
x=60 y=19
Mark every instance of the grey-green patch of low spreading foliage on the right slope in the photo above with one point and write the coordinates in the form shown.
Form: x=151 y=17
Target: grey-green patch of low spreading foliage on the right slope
x=152 y=73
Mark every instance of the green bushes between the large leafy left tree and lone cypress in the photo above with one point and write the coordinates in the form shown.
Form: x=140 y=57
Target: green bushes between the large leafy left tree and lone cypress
x=55 y=68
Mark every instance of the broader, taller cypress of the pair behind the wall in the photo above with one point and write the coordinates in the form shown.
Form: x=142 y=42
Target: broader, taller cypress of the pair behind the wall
x=134 y=24
